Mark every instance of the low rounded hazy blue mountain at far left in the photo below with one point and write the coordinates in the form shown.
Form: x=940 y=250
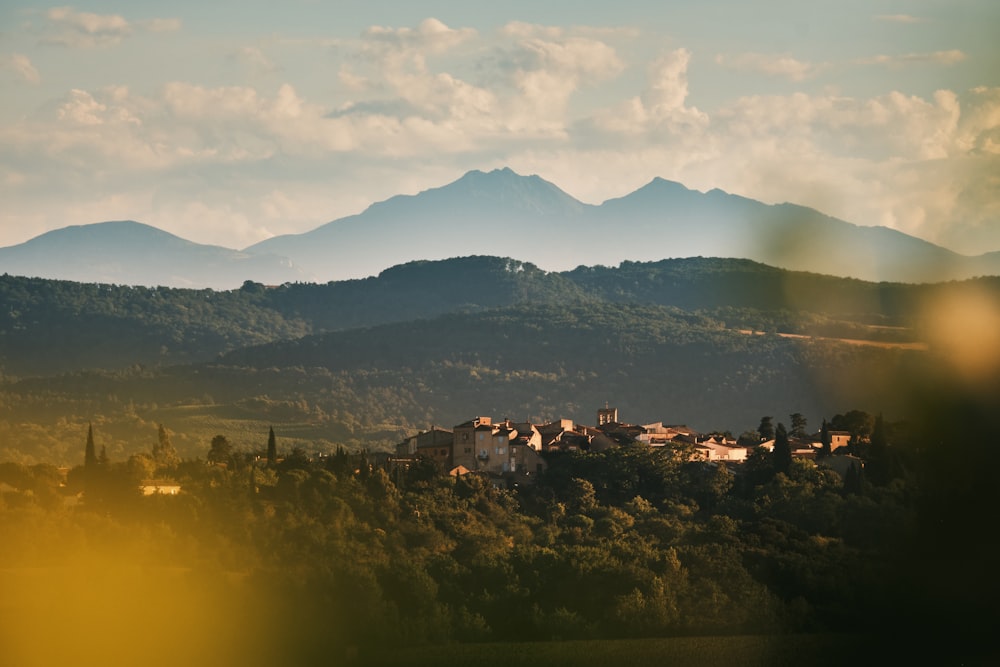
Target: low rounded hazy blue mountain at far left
x=132 y=253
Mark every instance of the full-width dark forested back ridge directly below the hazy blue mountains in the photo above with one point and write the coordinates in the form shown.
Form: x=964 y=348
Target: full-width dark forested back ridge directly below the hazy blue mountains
x=49 y=327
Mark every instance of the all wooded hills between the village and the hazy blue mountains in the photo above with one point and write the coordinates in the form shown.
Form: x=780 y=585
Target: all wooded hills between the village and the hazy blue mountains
x=712 y=343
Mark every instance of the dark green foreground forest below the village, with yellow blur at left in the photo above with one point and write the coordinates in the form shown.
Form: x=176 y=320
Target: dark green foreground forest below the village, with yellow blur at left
x=338 y=559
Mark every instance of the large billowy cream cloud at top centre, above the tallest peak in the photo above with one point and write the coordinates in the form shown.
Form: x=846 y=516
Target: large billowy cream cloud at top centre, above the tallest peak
x=513 y=85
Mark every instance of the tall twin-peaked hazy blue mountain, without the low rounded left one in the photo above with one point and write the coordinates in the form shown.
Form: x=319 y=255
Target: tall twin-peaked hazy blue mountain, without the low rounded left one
x=526 y=217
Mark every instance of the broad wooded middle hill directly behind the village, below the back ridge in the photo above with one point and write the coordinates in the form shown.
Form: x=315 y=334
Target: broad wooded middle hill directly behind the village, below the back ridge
x=370 y=387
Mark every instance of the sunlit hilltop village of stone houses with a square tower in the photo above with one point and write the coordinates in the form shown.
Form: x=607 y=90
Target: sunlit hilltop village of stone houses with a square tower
x=511 y=453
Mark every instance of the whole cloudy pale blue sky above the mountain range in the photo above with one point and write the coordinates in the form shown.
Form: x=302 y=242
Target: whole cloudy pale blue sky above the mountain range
x=231 y=122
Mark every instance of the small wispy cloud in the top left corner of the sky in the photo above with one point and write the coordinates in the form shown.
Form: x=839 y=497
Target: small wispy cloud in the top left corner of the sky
x=84 y=30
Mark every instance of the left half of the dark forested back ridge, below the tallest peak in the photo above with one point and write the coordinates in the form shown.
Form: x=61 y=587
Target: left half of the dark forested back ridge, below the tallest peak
x=51 y=326
